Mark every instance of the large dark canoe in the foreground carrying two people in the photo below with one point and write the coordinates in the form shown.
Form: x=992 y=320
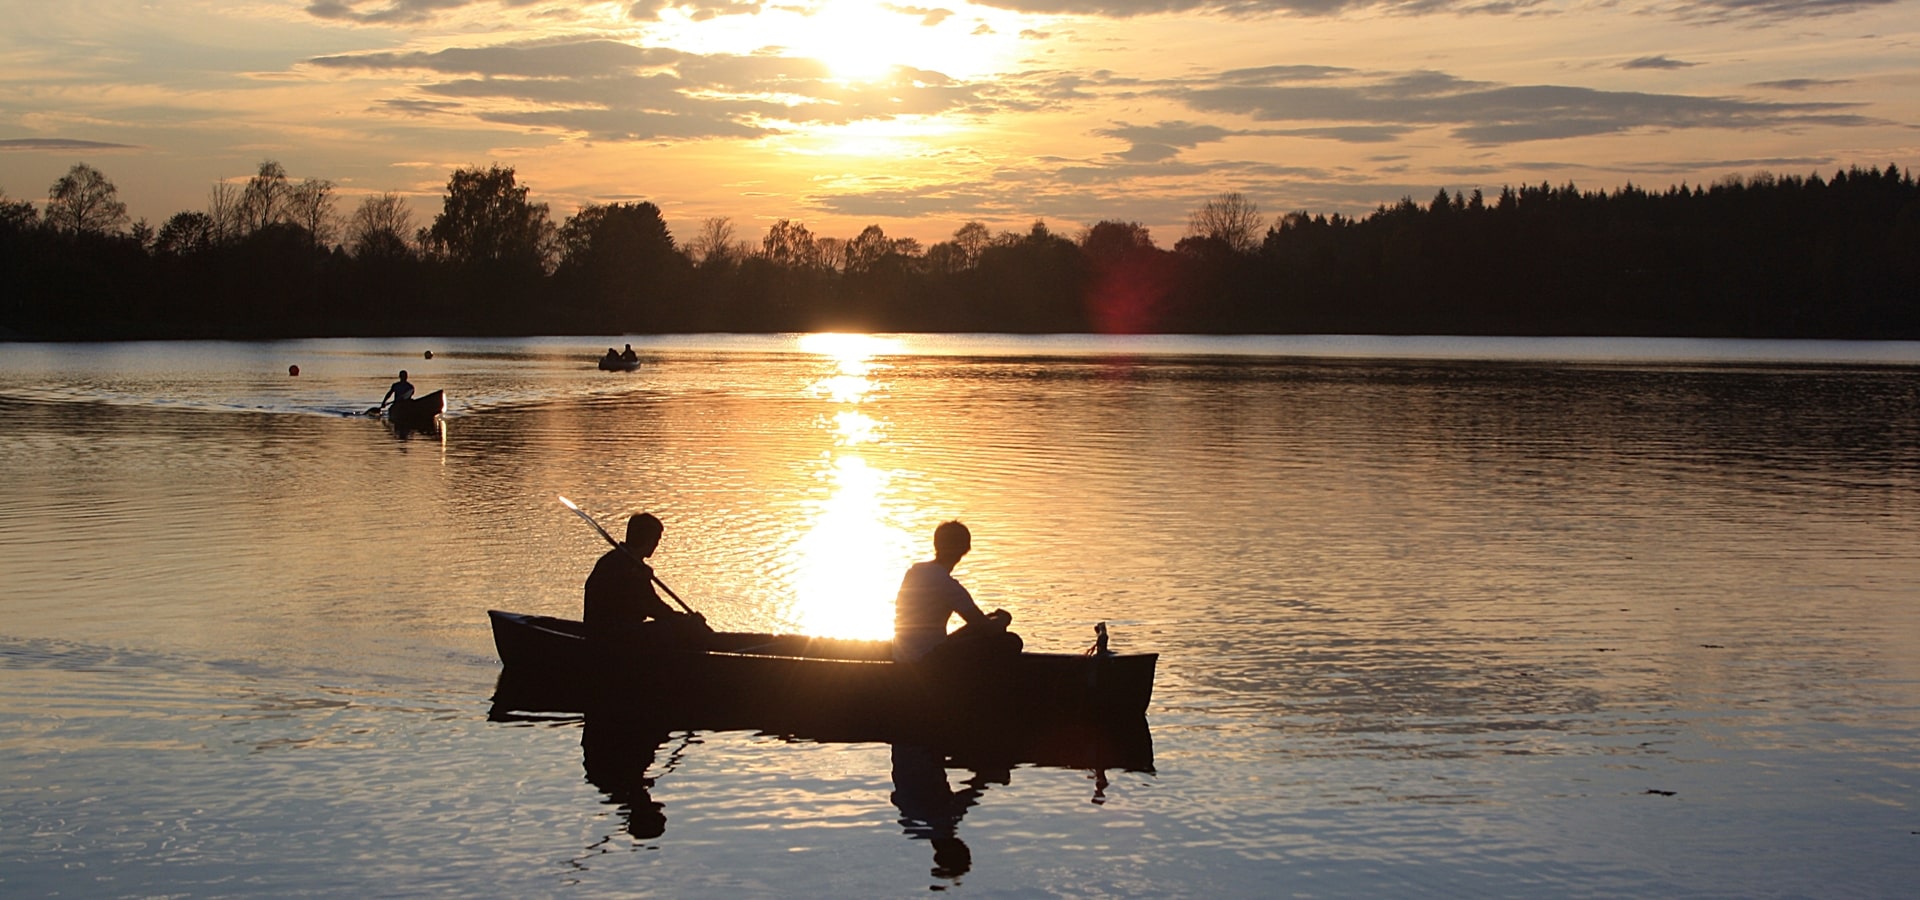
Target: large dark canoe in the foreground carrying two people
x=825 y=684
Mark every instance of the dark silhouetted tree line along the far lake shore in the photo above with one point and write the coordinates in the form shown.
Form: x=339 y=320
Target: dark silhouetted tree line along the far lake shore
x=272 y=258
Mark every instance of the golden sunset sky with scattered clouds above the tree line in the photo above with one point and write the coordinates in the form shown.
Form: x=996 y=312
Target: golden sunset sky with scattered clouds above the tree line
x=921 y=116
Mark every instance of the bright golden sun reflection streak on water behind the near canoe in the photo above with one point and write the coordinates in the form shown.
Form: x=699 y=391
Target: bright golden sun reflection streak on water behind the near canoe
x=852 y=556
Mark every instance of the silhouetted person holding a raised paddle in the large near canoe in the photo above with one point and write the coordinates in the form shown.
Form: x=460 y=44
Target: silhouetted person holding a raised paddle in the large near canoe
x=621 y=604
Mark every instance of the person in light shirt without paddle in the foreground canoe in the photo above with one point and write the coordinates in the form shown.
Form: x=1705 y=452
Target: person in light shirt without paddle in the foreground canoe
x=930 y=596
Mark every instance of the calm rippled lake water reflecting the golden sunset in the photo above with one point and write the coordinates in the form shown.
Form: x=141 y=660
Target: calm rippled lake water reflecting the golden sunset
x=1437 y=617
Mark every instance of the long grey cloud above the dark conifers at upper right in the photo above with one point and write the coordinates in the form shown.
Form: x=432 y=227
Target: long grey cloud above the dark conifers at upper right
x=1487 y=112
